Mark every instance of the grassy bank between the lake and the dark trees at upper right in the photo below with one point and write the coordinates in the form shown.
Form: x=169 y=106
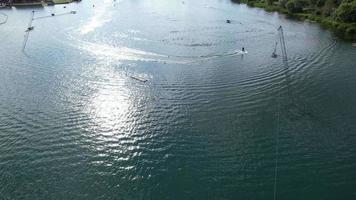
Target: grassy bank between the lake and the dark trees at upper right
x=344 y=30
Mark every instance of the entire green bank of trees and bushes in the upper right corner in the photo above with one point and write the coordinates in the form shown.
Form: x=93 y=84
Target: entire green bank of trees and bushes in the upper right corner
x=340 y=15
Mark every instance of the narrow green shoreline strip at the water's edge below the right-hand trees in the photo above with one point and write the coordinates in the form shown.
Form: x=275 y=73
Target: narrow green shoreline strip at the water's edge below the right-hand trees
x=346 y=31
